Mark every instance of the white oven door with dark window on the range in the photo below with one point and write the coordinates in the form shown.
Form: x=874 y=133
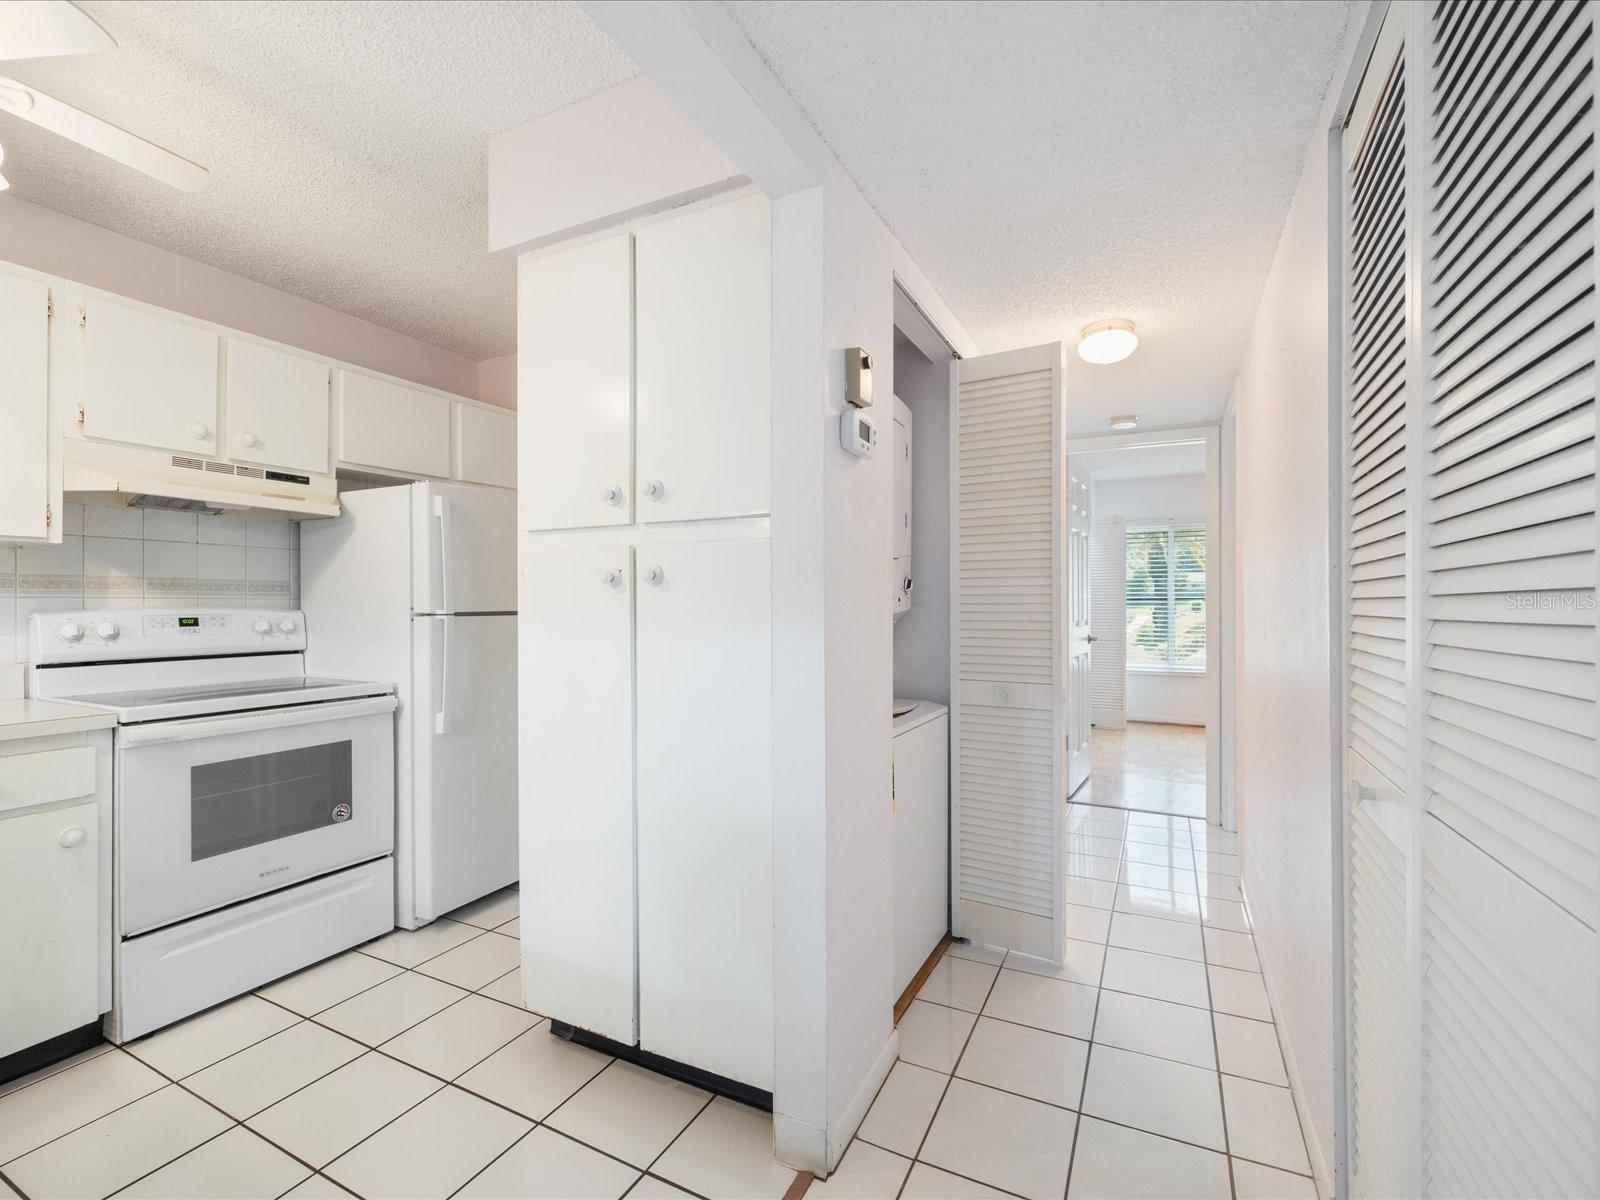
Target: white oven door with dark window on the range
x=222 y=809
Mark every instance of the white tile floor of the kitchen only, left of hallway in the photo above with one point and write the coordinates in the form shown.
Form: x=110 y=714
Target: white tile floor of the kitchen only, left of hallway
x=404 y=1070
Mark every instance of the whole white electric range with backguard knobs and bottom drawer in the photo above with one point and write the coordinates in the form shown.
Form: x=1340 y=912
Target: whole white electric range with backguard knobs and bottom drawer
x=254 y=804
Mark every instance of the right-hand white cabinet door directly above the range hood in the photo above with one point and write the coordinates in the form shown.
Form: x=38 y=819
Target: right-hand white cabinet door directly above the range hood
x=278 y=409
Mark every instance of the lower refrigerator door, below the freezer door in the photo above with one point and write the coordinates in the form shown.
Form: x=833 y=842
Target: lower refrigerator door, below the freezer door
x=465 y=759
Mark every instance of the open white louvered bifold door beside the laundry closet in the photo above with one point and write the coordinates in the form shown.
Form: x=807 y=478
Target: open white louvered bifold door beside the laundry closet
x=1007 y=802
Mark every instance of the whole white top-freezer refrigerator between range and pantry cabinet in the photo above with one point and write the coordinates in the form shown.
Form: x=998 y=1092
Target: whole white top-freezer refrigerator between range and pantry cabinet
x=417 y=585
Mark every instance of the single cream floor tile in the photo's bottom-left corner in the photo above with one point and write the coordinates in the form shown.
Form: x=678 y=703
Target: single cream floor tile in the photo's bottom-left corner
x=119 y=1148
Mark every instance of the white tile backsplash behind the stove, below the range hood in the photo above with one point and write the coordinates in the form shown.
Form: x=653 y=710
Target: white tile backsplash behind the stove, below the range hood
x=118 y=558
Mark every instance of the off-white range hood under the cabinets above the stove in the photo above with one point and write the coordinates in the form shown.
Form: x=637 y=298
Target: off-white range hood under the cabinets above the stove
x=156 y=479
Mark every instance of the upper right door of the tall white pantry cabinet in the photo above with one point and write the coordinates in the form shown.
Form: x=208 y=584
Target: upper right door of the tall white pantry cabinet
x=705 y=362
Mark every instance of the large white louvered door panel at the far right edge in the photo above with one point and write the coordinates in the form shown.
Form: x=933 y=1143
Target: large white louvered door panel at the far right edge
x=1508 y=962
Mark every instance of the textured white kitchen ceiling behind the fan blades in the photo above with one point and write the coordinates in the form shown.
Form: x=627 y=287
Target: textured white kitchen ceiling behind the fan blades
x=345 y=143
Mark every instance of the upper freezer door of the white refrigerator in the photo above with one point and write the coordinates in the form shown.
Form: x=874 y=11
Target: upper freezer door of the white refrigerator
x=466 y=550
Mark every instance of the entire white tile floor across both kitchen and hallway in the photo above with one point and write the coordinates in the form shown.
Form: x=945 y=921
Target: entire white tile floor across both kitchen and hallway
x=1145 y=1066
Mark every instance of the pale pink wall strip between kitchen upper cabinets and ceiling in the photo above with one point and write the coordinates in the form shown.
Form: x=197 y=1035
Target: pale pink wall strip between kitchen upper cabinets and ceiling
x=62 y=246
